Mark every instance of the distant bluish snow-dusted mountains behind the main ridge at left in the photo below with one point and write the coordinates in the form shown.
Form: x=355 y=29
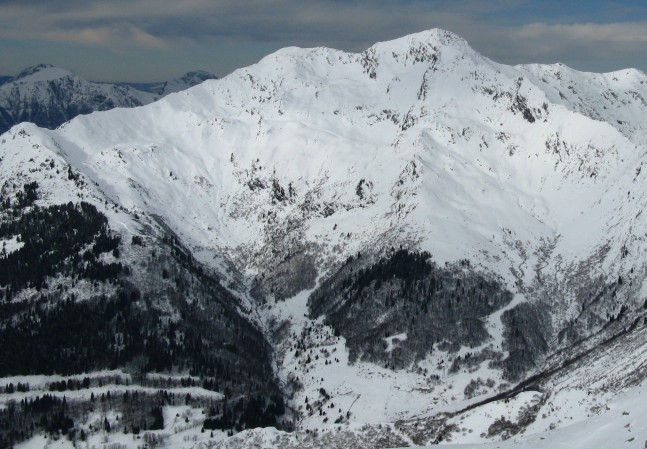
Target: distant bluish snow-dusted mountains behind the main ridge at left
x=49 y=96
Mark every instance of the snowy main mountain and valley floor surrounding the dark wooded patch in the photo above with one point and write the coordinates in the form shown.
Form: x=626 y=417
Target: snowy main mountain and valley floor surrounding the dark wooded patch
x=288 y=167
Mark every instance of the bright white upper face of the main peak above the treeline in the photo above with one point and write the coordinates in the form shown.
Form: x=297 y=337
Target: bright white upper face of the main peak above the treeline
x=423 y=138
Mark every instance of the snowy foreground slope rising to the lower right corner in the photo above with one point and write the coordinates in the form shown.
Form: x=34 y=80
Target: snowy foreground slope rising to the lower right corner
x=598 y=401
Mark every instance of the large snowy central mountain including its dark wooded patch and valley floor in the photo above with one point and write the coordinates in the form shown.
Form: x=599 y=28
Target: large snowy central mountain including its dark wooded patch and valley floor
x=425 y=237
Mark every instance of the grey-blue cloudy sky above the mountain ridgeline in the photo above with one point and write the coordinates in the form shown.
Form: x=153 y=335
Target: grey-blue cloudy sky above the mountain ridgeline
x=152 y=40
